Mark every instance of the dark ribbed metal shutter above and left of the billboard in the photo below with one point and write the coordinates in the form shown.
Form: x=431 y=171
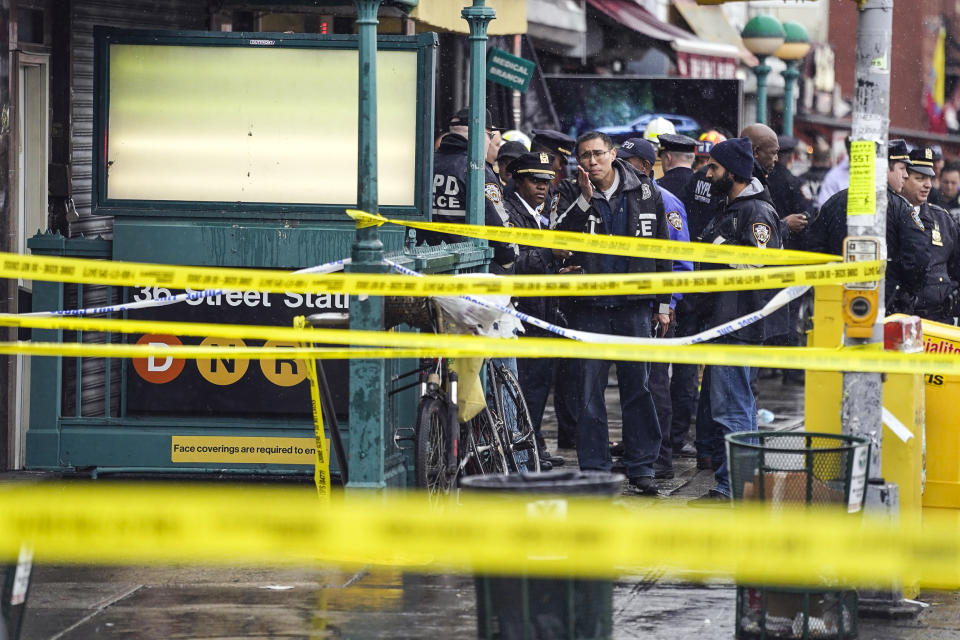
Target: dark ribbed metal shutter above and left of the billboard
x=132 y=14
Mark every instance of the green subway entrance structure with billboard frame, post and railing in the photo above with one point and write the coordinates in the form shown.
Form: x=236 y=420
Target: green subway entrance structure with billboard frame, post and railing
x=69 y=432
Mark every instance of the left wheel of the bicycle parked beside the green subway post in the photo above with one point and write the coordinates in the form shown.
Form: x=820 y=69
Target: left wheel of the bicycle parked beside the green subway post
x=430 y=449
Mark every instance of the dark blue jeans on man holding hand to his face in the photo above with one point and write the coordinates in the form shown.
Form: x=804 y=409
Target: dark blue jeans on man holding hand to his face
x=641 y=429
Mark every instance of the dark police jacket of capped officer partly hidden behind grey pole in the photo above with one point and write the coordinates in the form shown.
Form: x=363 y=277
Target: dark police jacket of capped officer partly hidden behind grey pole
x=908 y=246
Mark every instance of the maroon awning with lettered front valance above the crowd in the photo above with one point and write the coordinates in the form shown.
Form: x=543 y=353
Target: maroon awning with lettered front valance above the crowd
x=695 y=57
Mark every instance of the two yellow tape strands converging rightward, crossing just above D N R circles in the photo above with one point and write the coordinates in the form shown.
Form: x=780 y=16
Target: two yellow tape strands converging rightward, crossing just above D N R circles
x=395 y=344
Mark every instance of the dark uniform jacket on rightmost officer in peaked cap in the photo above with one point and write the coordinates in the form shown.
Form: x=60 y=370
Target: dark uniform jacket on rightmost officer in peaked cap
x=943 y=274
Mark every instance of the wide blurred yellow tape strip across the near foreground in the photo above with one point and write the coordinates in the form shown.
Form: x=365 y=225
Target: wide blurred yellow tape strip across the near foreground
x=132 y=523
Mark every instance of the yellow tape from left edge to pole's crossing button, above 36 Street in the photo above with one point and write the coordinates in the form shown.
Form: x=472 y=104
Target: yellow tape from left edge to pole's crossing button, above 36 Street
x=133 y=274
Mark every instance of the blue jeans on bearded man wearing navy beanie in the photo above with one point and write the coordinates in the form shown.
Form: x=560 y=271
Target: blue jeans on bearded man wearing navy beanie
x=727 y=406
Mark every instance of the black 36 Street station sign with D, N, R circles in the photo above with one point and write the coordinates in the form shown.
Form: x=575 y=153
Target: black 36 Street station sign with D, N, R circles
x=227 y=386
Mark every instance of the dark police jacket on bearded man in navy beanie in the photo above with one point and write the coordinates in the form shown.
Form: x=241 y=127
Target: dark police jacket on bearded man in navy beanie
x=749 y=220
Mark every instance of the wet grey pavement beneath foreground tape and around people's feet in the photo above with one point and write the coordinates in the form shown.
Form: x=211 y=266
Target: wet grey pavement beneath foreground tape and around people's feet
x=120 y=603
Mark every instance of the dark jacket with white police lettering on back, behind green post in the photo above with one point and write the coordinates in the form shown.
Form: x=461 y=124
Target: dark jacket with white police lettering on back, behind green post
x=450 y=200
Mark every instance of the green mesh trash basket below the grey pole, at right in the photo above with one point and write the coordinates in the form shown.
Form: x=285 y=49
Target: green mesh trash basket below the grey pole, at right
x=822 y=471
